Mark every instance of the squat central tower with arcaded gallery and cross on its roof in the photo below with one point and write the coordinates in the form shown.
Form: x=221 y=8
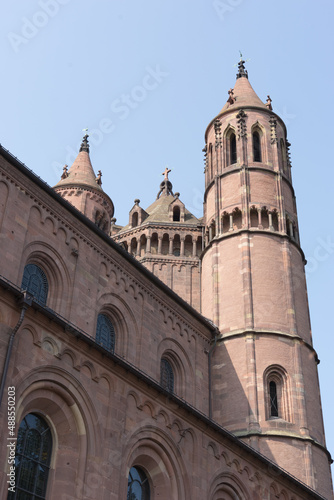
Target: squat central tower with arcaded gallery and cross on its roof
x=167 y=239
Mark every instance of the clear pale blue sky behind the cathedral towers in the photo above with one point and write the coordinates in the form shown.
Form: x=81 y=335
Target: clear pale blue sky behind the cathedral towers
x=147 y=77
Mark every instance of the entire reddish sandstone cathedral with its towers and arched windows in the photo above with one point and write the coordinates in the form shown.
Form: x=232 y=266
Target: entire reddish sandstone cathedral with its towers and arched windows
x=170 y=358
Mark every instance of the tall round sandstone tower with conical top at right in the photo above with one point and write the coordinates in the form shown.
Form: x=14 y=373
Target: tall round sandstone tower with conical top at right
x=264 y=367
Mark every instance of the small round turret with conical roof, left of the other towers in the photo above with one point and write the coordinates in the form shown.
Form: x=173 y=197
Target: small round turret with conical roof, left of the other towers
x=82 y=188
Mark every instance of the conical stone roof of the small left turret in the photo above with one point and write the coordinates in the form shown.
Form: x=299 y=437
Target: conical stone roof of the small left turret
x=81 y=172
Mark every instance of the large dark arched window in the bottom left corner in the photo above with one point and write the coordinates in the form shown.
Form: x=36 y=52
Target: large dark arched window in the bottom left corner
x=32 y=459
